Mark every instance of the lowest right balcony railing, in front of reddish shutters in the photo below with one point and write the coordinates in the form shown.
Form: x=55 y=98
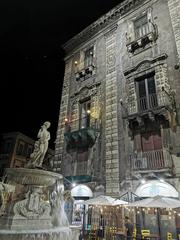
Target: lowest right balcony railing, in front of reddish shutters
x=156 y=160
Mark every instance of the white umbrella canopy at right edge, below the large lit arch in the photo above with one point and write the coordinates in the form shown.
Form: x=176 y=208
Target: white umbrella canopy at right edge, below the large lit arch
x=157 y=202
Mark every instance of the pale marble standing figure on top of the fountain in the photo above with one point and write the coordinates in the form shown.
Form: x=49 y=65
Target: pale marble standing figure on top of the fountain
x=40 y=147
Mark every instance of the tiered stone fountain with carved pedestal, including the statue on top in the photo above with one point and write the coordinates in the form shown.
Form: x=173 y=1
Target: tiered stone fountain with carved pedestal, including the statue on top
x=36 y=208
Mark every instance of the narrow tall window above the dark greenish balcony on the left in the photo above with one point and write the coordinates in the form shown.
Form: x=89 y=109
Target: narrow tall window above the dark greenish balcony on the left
x=85 y=114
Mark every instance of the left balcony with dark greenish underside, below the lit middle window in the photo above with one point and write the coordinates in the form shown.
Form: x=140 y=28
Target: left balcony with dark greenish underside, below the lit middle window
x=81 y=134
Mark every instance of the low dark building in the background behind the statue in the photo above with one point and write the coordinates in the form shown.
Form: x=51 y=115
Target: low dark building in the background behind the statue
x=15 y=149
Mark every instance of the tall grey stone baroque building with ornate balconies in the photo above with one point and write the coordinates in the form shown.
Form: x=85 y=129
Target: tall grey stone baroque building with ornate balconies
x=120 y=106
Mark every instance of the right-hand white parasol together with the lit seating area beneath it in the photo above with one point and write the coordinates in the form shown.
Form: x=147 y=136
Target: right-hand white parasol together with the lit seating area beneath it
x=159 y=216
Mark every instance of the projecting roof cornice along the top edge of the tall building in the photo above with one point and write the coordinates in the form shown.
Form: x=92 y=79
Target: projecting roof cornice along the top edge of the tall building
x=107 y=19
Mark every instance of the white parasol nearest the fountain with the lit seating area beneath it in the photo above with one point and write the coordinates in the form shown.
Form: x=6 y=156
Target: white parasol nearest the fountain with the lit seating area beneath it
x=105 y=217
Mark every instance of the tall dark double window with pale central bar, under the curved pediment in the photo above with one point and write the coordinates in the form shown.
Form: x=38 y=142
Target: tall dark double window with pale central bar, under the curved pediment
x=146 y=91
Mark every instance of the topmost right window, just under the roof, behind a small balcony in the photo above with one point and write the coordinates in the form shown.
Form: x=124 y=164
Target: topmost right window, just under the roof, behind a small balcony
x=141 y=26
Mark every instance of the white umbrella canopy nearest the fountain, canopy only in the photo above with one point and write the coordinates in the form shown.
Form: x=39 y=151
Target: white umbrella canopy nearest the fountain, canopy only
x=105 y=200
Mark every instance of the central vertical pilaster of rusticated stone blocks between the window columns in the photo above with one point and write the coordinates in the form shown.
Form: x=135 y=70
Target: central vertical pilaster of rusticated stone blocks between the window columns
x=111 y=117
